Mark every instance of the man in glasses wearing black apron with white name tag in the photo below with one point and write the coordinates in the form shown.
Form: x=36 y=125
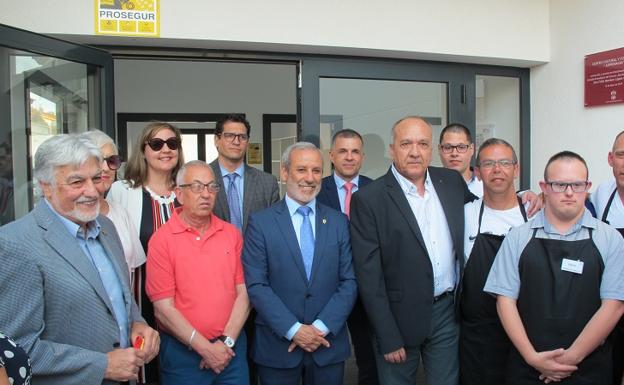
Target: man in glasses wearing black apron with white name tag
x=558 y=284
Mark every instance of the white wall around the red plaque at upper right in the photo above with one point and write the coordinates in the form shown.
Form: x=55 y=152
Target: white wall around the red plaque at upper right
x=559 y=119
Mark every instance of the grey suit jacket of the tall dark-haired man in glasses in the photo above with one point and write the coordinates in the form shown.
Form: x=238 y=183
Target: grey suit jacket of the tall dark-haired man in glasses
x=260 y=191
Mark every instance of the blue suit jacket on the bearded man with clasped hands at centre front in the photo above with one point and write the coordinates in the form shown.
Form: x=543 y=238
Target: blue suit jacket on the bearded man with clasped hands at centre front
x=281 y=293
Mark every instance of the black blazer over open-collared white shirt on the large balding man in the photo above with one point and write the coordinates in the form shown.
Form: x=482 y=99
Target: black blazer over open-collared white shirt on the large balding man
x=391 y=261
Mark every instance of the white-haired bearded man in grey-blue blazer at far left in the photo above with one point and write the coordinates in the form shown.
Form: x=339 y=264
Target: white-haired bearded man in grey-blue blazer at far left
x=64 y=280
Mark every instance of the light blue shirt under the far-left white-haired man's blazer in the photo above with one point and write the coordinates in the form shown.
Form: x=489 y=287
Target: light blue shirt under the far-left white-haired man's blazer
x=102 y=263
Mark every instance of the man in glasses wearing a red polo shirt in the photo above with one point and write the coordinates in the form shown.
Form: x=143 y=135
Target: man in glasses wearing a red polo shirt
x=195 y=280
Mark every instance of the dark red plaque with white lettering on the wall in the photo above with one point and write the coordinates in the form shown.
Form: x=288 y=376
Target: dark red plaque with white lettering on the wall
x=604 y=78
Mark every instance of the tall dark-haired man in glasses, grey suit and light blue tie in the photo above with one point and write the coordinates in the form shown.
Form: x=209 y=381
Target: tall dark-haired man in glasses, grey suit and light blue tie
x=245 y=189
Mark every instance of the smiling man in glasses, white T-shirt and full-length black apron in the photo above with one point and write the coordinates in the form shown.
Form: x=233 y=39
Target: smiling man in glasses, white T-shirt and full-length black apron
x=483 y=344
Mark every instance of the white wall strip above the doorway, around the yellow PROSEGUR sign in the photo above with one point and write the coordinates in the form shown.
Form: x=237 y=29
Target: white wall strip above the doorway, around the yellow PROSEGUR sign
x=484 y=31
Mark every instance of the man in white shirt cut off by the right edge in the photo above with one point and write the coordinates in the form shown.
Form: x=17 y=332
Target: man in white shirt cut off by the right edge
x=608 y=199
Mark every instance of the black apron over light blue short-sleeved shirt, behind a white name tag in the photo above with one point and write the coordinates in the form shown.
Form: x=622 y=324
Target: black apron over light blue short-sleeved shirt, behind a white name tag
x=555 y=306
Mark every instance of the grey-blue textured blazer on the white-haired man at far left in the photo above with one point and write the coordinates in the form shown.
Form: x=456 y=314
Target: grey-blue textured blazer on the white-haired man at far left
x=53 y=302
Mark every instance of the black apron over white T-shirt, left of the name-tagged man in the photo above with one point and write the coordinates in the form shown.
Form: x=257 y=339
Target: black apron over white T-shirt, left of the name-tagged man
x=483 y=343
